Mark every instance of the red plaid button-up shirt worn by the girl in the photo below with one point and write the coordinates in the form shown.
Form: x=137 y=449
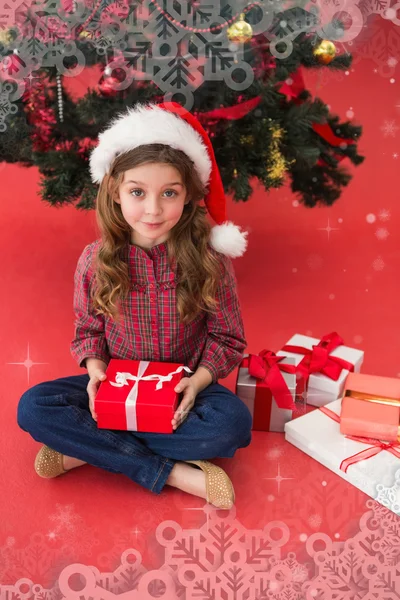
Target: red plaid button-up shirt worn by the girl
x=150 y=328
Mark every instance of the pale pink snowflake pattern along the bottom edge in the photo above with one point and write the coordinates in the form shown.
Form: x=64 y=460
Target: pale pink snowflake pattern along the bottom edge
x=223 y=559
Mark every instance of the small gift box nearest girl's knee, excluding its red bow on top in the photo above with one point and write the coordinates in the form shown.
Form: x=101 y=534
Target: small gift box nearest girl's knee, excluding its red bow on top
x=246 y=390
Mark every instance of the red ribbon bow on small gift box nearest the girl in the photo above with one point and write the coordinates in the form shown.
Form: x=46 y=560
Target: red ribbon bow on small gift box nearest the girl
x=266 y=368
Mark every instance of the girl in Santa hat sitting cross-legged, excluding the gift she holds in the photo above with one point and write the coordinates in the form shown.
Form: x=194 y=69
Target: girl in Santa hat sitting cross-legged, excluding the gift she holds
x=159 y=285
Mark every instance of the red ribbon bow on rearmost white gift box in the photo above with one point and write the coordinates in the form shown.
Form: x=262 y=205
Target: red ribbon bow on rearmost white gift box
x=319 y=360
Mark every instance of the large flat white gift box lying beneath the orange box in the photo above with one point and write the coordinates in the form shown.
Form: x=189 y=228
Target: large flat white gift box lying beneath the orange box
x=318 y=435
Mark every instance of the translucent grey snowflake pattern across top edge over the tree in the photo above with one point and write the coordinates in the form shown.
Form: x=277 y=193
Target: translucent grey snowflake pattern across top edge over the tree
x=138 y=40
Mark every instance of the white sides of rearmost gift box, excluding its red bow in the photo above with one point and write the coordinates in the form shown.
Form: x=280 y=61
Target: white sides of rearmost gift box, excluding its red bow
x=321 y=389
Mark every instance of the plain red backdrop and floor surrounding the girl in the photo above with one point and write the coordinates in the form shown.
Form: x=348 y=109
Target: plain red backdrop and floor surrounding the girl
x=293 y=278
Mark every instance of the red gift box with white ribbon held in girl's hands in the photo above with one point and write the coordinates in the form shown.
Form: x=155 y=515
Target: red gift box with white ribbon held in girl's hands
x=138 y=396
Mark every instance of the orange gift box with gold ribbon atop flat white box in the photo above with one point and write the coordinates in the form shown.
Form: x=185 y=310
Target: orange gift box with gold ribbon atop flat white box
x=371 y=407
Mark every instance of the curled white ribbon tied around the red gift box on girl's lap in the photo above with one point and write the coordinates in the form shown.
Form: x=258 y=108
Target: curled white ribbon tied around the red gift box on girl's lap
x=121 y=379
